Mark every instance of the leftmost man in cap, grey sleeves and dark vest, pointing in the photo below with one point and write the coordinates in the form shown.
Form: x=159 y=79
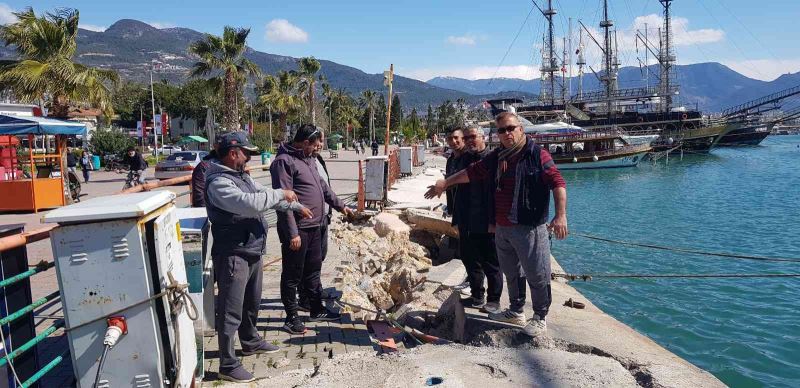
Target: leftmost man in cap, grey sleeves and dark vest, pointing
x=236 y=206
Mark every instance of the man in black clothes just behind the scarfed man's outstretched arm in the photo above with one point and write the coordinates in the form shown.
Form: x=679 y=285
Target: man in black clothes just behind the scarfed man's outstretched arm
x=476 y=240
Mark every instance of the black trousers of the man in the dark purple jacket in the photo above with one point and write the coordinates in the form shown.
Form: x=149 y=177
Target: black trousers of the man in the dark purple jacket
x=302 y=266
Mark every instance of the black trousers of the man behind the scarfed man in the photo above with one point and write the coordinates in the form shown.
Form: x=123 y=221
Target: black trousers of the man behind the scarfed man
x=479 y=255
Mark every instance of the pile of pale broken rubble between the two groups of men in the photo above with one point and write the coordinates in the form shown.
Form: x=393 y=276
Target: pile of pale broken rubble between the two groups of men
x=384 y=266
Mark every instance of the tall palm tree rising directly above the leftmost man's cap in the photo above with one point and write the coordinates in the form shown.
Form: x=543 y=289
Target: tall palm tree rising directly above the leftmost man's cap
x=223 y=57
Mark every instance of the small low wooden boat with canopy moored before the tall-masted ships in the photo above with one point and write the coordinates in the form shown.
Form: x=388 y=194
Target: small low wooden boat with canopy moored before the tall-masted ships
x=591 y=150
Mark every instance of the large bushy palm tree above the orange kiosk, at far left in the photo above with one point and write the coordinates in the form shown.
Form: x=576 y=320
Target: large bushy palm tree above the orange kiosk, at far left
x=45 y=46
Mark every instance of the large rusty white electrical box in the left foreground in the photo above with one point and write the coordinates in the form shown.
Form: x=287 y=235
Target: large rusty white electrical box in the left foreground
x=114 y=255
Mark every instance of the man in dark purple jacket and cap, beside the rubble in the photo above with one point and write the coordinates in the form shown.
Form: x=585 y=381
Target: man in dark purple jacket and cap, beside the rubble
x=295 y=168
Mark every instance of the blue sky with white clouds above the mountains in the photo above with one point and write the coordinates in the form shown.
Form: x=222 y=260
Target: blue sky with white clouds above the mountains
x=469 y=38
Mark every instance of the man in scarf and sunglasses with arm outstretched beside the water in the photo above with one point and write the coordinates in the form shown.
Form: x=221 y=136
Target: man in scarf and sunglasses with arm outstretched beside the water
x=523 y=174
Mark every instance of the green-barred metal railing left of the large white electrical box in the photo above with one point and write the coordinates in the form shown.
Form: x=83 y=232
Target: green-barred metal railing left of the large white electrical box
x=21 y=341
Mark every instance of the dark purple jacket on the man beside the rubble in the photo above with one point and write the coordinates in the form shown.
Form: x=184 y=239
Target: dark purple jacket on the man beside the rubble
x=293 y=170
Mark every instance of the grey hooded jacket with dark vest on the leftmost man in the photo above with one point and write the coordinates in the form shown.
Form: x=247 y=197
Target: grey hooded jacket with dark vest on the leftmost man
x=236 y=204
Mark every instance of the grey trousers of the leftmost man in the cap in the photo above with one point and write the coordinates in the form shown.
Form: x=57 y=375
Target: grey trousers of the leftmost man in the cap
x=240 y=282
